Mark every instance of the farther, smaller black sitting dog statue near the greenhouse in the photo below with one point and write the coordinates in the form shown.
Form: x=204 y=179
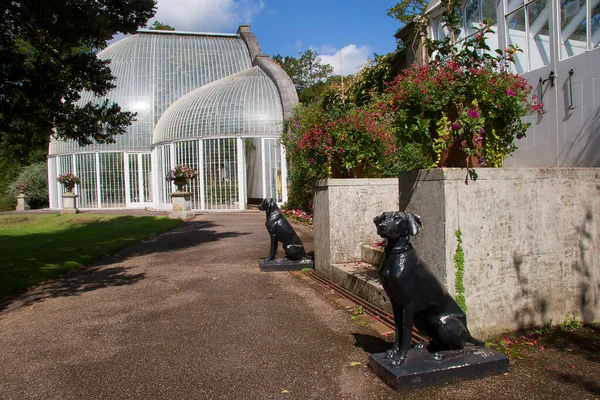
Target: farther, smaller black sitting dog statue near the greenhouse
x=280 y=230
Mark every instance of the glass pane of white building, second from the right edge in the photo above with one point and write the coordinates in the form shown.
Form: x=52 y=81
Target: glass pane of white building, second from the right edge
x=573 y=28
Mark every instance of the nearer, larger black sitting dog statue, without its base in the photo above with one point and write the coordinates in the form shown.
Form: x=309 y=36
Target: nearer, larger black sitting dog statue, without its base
x=417 y=296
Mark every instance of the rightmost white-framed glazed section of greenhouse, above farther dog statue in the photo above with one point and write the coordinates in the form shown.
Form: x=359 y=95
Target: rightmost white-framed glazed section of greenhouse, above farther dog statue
x=274 y=179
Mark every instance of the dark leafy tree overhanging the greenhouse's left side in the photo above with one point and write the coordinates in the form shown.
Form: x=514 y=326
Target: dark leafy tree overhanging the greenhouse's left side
x=47 y=59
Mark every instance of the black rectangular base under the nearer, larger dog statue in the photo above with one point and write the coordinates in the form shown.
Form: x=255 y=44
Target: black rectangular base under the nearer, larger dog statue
x=421 y=369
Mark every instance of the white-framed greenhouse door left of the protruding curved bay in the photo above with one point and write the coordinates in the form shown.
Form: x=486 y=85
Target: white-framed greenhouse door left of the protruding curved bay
x=138 y=191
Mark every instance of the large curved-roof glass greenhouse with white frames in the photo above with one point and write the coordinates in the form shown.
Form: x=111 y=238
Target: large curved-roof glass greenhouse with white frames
x=209 y=101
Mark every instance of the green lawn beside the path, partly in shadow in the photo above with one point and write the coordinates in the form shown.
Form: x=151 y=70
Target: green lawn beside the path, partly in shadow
x=34 y=248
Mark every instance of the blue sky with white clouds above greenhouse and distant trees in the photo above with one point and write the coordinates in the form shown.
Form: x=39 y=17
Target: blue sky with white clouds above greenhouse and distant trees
x=356 y=27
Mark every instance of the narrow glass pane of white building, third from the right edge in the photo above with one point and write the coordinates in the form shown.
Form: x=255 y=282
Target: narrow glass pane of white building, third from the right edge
x=539 y=34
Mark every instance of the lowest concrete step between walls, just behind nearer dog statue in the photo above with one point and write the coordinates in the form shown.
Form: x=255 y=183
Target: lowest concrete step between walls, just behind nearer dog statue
x=362 y=279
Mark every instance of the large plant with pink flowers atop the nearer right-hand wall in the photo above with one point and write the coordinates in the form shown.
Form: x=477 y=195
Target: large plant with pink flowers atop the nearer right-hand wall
x=464 y=108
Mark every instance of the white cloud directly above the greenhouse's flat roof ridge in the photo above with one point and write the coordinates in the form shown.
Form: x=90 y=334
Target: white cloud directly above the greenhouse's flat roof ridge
x=207 y=15
